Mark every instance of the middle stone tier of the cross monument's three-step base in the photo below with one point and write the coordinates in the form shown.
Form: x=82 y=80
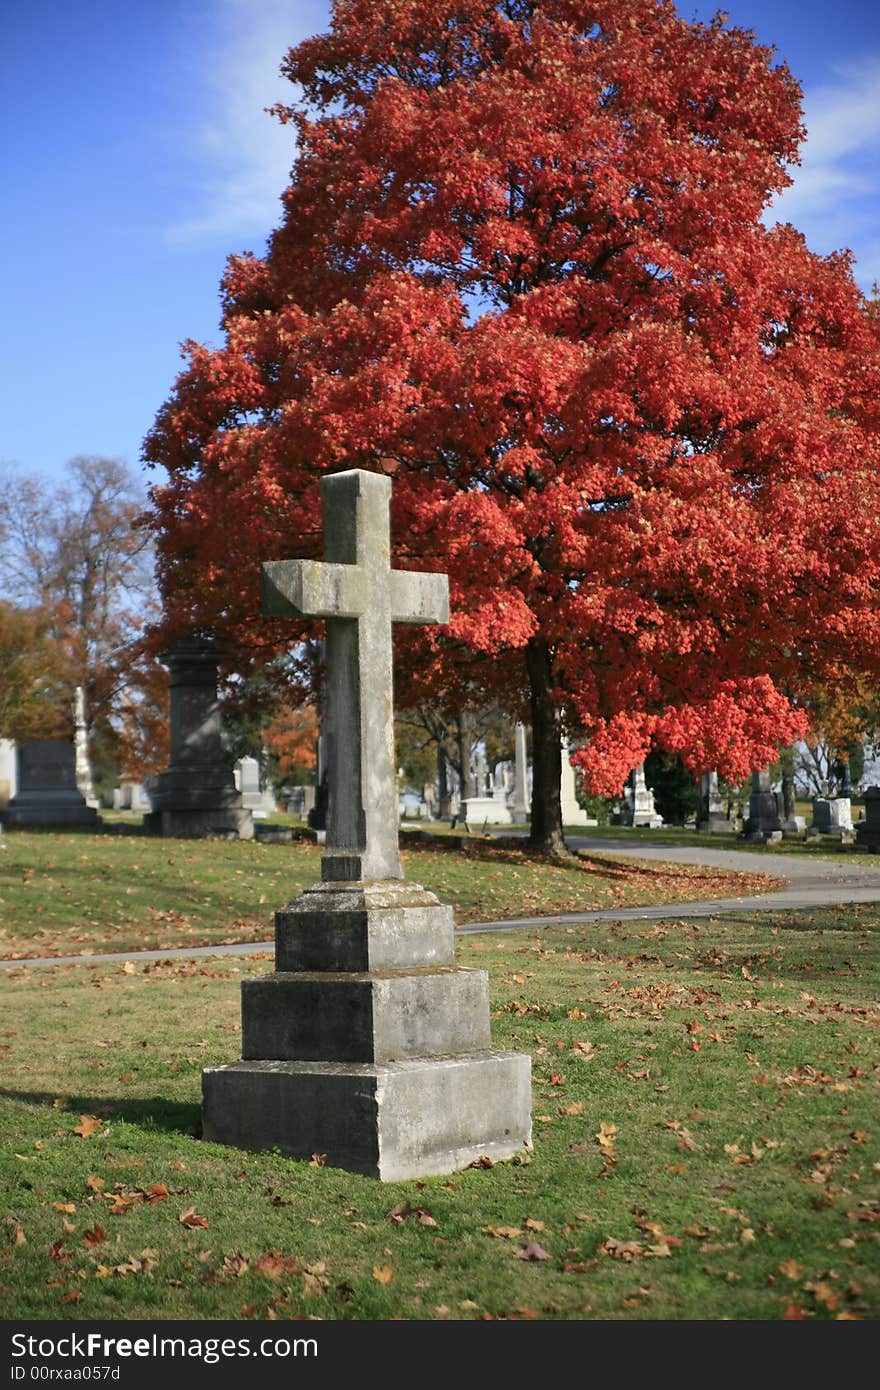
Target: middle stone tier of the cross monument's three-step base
x=368 y=1017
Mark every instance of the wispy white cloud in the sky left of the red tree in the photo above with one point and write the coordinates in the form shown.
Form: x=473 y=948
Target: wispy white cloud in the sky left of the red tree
x=241 y=155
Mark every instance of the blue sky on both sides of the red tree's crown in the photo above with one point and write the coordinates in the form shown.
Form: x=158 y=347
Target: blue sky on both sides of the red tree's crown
x=138 y=156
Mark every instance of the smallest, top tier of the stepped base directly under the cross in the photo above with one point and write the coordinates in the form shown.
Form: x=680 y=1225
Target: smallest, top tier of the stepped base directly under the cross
x=365 y=926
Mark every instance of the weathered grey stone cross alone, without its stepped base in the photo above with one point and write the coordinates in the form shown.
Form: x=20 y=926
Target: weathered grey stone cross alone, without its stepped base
x=361 y=597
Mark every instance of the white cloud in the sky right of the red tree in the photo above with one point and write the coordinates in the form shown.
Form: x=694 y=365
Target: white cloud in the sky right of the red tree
x=836 y=195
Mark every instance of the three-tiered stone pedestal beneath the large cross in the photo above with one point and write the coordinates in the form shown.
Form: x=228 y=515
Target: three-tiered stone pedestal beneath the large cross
x=369 y=1046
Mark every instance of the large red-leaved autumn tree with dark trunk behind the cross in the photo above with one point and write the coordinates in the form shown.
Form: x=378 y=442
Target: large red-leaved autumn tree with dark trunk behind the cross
x=523 y=266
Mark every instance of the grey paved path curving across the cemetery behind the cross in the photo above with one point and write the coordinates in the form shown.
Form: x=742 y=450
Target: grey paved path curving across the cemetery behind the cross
x=811 y=883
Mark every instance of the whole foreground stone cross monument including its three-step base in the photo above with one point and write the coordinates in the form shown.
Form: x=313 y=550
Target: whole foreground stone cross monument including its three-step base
x=368 y=1045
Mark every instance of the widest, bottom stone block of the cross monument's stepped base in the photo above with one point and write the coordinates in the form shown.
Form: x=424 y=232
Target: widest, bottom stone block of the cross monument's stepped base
x=393 y=1121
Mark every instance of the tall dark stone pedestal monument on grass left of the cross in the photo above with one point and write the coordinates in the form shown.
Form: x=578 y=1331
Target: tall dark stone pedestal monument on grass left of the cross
x=197 y=796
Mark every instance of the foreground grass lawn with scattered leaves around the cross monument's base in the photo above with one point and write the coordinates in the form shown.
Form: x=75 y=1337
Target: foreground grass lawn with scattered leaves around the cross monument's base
x=706 y=1140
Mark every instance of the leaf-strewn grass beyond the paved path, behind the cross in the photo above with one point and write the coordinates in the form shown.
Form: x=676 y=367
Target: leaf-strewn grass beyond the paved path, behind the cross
x=70 y=894
